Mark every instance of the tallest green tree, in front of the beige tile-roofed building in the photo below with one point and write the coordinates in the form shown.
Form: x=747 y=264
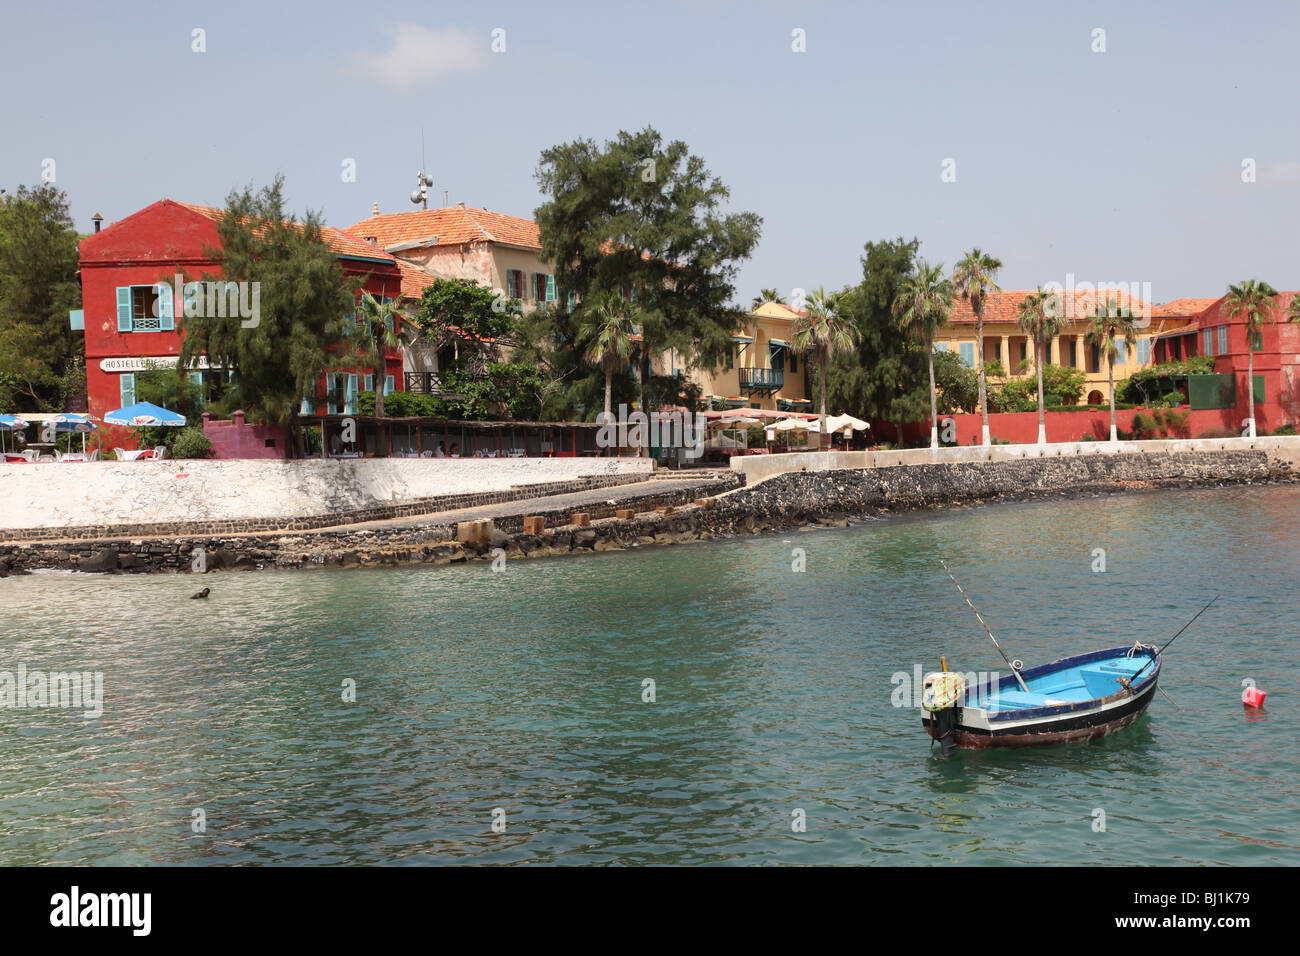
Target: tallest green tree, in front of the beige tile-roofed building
x=645 y=217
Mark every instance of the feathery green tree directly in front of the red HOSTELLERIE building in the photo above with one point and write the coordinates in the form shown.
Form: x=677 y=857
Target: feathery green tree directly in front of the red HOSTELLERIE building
x=307 y=304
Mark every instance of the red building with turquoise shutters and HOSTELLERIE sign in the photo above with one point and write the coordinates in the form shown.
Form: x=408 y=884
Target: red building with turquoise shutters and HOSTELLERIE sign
x=131 y=314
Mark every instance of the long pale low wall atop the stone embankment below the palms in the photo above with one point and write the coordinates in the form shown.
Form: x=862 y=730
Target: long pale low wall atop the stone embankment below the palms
x=760 y=468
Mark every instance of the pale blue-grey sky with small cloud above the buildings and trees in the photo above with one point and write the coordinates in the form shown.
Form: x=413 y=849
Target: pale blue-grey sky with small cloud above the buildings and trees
x=1117 y=166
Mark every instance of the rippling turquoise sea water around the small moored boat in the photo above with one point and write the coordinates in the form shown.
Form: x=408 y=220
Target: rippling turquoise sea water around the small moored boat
x=523 y=691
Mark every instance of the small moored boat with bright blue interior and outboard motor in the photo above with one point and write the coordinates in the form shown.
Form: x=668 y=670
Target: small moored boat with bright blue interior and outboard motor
x=1073 y=699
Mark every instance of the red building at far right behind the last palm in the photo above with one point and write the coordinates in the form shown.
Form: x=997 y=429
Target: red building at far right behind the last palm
x=1276 y=348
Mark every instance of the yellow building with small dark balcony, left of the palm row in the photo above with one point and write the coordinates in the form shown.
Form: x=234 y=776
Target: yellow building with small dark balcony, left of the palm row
x=764 y=370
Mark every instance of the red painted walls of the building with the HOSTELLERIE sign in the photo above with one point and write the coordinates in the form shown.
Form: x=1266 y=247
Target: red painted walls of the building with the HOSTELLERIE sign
x=150 y=246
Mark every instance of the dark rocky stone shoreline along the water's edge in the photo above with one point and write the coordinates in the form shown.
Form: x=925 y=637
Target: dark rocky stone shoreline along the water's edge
x=781 y=504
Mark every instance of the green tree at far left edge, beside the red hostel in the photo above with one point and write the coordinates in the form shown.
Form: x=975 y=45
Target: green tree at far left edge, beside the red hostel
x=42 y=360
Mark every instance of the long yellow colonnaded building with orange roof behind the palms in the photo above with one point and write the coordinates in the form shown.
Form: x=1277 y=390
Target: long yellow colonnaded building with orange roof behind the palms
x=1007 y=344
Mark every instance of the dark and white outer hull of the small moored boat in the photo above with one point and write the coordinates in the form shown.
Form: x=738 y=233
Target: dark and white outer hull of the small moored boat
x=1063 y=724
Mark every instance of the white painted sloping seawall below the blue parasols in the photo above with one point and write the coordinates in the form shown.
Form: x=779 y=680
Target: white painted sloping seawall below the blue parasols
x=64 y=495
